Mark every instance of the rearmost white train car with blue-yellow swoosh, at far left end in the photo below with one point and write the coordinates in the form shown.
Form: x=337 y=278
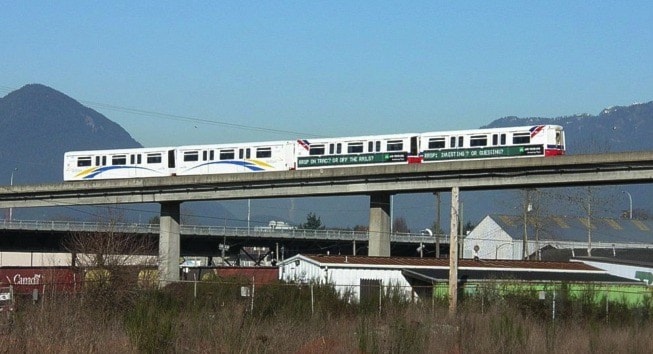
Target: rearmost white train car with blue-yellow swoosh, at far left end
x=121 y=163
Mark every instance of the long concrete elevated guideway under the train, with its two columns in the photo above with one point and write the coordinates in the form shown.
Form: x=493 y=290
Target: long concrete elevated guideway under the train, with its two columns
x=378 y=182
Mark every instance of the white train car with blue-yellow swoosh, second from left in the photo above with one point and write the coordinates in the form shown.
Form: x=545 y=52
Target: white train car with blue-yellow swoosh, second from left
x=235 y=158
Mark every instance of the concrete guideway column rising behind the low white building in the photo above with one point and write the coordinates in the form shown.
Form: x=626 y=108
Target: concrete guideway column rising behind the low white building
x=379 y=242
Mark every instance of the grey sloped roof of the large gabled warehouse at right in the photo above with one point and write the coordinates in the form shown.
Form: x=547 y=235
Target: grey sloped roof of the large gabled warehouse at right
x=573 y=228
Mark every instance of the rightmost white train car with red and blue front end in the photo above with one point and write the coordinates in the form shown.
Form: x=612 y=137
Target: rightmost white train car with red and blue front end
x=527 y=141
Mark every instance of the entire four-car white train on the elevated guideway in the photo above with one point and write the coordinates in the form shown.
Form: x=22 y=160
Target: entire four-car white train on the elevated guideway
x=409 y=148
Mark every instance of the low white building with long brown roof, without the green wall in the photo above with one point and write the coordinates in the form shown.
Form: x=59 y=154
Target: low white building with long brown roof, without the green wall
x=418 y=278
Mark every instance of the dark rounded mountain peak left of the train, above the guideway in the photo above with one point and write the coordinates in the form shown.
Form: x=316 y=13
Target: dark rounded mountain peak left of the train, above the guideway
x=38 y=124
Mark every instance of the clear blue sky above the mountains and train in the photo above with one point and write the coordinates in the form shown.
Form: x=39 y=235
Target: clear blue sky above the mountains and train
x=186 y=72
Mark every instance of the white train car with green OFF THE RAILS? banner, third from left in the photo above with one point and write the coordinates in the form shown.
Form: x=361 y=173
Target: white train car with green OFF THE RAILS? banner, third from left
x=357 y=151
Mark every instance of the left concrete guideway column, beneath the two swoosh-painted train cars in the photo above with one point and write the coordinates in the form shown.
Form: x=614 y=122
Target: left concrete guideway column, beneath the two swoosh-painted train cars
x=169 y=243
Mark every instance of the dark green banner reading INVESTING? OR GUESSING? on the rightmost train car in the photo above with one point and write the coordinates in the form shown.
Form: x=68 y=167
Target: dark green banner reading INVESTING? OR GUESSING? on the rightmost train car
x=485 y=152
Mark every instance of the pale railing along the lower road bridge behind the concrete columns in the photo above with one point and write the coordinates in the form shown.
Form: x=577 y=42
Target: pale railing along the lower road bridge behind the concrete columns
x=210 y=231
